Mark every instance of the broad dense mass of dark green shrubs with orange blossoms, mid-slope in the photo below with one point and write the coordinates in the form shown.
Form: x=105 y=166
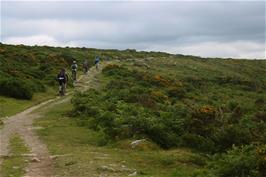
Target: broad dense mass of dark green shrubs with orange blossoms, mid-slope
x=136 y=104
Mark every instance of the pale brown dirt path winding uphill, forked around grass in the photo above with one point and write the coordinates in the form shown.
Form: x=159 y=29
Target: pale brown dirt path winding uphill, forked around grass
x=40 y=164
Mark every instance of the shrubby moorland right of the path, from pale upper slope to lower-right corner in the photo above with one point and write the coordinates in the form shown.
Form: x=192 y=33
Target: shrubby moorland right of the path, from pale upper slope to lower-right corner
x=214 y=107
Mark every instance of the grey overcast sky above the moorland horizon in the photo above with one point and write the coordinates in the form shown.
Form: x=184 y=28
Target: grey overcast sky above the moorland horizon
x=204 y=28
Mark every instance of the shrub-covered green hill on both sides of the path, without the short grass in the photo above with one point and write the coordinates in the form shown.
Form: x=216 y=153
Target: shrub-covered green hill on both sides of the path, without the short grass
x=215 y=107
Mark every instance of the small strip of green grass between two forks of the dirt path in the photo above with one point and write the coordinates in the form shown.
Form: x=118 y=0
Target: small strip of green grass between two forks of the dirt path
x=15 y=164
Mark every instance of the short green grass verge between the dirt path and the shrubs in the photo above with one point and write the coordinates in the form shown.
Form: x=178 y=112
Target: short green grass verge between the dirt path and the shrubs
x=85 y=154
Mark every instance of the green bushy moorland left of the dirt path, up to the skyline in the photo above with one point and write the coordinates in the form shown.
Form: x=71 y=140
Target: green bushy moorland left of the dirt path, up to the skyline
x=28 y=73
